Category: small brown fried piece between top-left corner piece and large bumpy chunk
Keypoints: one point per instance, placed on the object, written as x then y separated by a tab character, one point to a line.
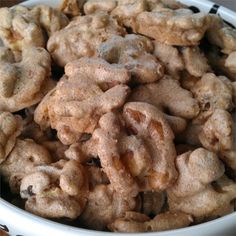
50	19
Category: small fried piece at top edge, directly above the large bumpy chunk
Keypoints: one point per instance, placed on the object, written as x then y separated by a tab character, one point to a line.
94	6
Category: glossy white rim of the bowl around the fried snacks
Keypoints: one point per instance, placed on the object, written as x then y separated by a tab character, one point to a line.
8	207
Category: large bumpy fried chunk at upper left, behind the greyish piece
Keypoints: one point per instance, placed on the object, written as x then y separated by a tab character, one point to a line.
86	34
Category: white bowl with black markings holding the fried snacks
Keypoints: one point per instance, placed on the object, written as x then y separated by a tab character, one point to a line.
20	222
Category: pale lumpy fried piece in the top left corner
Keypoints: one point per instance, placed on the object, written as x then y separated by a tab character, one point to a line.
19	29
